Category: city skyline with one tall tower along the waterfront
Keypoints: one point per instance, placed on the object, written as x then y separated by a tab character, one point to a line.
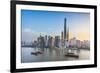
61	41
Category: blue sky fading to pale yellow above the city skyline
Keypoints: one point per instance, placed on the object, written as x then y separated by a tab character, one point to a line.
35	22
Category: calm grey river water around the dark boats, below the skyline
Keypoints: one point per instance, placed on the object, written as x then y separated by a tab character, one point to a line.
50	55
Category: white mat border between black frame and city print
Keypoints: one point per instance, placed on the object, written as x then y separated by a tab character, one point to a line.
20	65
